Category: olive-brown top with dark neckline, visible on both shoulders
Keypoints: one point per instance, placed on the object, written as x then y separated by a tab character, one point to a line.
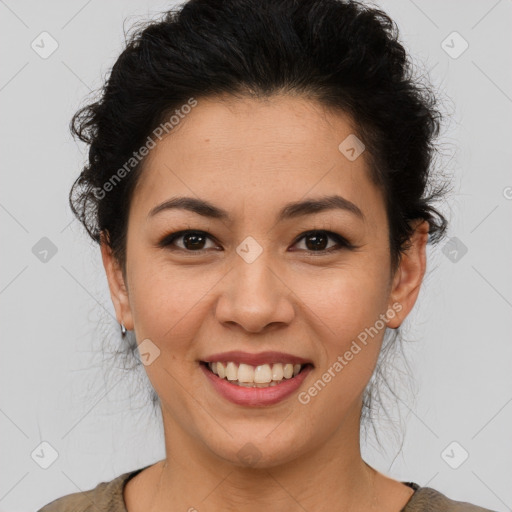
108	496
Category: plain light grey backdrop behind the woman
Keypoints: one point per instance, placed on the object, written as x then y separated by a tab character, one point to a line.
54	313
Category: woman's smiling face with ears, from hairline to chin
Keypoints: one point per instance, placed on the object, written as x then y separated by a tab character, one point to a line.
252	281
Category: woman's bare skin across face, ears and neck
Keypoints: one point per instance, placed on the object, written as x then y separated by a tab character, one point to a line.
251	157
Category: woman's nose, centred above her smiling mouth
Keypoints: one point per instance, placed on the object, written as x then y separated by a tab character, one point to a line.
254	296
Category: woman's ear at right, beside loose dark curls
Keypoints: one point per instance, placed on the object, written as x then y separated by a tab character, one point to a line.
409	275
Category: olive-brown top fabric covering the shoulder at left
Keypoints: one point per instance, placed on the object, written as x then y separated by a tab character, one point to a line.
106	496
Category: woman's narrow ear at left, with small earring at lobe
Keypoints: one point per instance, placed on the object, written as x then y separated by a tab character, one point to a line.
116	283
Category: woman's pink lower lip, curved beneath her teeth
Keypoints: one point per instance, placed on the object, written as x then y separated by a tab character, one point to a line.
241	395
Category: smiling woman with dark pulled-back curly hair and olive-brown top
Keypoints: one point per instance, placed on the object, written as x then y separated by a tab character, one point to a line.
231	138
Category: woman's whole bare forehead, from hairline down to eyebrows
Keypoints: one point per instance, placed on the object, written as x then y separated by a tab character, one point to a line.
255	150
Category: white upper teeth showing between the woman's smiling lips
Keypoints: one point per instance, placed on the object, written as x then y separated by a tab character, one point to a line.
261	376
